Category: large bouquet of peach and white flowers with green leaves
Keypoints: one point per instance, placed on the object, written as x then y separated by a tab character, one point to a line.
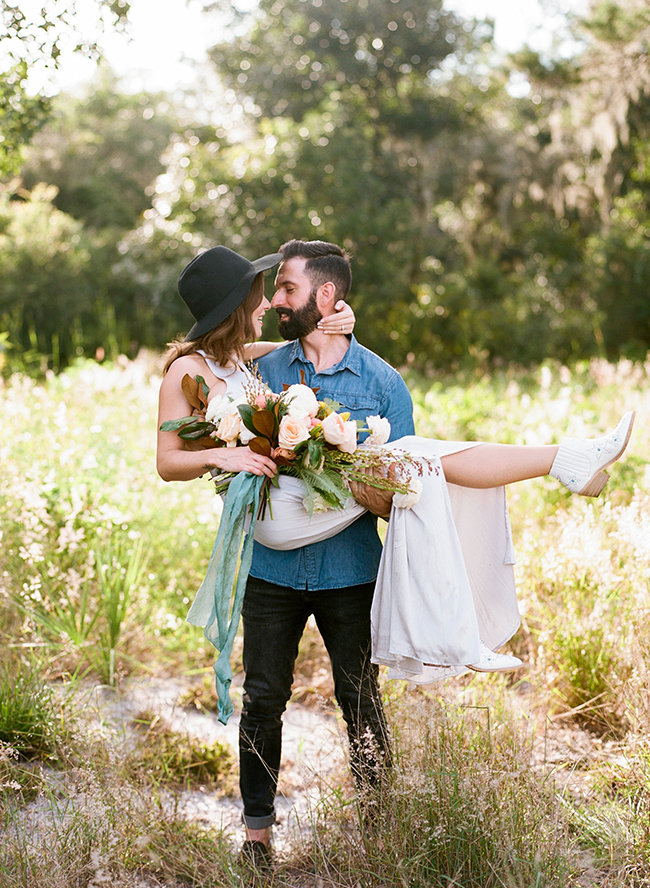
308	439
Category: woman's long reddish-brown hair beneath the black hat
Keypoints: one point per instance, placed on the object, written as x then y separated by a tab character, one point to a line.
225	342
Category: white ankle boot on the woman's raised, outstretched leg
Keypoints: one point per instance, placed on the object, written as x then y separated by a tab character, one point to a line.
580	462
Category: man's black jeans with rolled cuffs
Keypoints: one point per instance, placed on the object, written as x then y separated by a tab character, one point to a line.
274	619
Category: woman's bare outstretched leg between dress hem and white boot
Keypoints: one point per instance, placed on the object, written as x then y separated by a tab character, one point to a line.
494	465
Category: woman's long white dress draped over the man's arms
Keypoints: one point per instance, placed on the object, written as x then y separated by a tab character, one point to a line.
446	574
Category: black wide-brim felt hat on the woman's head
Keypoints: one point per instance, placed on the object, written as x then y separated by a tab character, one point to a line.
216	282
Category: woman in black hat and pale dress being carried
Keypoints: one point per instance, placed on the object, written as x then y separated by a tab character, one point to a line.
455	540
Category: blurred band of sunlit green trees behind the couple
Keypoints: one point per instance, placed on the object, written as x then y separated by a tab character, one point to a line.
485	226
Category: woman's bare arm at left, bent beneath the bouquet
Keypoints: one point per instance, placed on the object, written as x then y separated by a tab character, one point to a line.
175	460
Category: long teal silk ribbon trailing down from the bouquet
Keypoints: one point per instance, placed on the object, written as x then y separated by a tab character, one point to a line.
212	605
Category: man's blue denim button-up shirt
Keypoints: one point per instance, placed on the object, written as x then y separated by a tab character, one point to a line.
365	385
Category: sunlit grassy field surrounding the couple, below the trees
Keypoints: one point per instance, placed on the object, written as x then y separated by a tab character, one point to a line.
537	778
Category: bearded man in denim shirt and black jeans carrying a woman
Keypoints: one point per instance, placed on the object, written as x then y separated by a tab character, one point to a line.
334	579
